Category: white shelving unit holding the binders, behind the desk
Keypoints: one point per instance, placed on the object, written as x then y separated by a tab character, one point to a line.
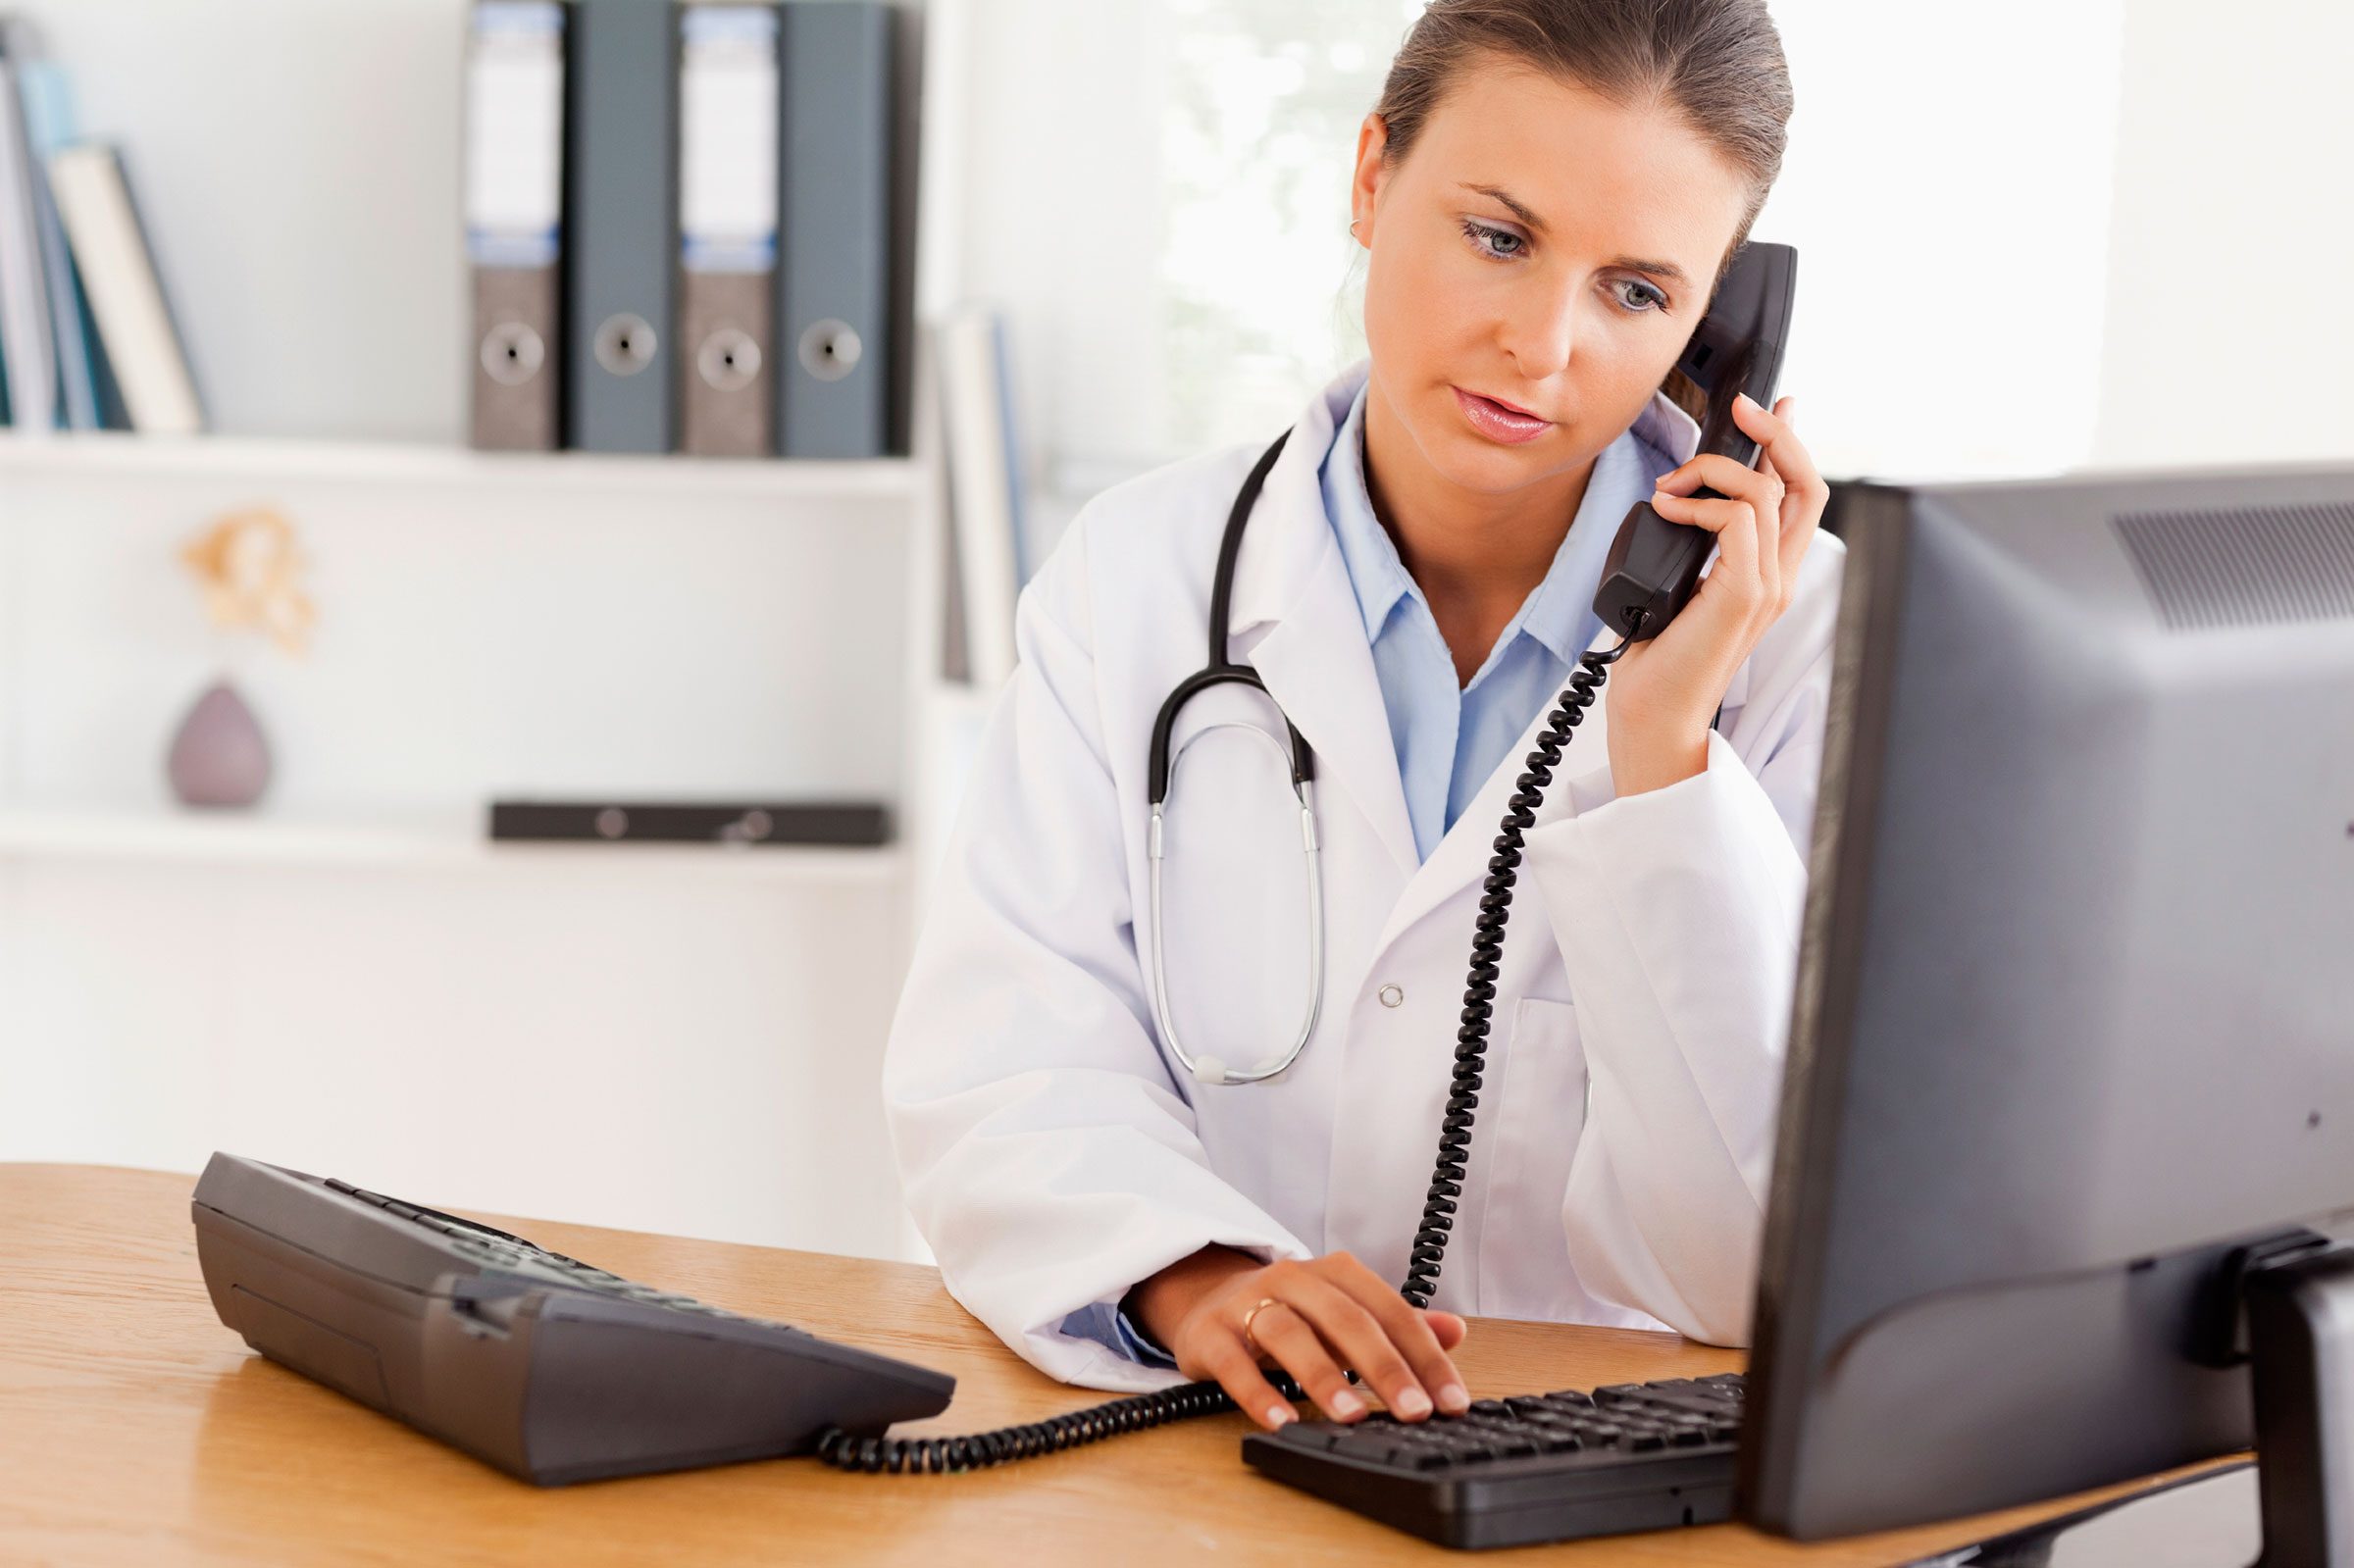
350	974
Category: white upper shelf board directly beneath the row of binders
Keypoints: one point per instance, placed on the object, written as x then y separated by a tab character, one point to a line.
415	463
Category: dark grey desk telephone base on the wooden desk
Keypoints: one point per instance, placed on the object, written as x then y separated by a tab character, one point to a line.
540	1364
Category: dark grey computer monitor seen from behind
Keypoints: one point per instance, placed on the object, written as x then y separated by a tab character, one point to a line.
2075	1009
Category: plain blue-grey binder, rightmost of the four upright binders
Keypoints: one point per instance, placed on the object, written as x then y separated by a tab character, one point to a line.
834	279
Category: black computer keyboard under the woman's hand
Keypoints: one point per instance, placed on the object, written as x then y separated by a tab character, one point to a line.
1531	1468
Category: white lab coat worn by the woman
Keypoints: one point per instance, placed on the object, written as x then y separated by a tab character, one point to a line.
1053	1152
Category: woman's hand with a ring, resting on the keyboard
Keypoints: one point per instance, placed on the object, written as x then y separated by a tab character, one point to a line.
1329	1313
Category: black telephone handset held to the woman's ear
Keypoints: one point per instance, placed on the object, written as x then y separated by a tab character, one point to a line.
1738	350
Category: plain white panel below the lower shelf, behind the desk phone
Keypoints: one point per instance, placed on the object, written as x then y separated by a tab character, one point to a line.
613	1042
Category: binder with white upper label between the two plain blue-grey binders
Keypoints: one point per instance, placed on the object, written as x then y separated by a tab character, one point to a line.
726	227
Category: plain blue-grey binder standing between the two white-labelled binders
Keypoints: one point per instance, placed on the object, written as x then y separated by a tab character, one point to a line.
620	255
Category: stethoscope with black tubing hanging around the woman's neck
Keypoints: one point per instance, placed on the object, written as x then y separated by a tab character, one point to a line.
1303	762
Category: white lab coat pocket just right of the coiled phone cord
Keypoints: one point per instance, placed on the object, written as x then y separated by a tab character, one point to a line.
1541	1115
